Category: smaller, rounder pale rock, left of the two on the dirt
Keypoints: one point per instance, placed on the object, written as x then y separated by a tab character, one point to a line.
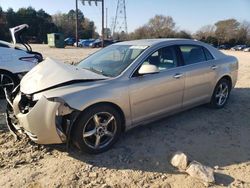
180	161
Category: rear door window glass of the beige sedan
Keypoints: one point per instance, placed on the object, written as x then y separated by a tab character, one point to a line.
192	54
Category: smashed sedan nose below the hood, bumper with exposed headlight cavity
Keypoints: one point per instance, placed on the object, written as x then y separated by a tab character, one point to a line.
45	121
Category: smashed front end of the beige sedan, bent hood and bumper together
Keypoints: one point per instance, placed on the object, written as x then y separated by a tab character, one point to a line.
45	119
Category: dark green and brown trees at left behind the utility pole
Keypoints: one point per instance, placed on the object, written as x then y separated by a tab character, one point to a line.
41	23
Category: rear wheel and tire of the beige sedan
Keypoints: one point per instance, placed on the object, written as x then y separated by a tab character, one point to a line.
221	94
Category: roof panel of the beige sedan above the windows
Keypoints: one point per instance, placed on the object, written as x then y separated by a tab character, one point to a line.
152	42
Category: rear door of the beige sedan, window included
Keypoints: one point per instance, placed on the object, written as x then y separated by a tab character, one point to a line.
200	73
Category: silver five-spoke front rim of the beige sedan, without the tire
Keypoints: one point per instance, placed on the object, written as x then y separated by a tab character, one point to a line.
99	130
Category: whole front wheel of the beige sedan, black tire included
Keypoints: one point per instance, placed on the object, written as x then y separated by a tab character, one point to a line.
97	129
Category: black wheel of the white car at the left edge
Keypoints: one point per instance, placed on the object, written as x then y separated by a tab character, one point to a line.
7	80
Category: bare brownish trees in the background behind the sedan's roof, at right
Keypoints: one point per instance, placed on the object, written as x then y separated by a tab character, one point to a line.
229	31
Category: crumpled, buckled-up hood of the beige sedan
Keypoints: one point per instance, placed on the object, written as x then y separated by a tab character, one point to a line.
51	74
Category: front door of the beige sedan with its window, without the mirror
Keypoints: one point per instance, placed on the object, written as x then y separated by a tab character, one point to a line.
152	95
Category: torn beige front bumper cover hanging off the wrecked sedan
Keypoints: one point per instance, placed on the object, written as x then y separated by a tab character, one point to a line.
38	123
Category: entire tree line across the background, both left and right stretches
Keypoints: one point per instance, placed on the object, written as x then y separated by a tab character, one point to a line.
229	31
